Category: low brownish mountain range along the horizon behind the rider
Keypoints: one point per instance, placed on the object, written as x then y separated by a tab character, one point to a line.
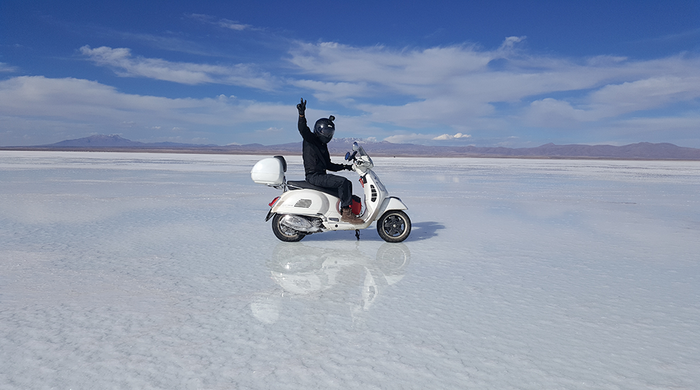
638	151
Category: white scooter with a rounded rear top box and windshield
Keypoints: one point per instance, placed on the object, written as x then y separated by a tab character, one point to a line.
304	209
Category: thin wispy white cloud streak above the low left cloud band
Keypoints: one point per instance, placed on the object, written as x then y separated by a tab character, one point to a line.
126	65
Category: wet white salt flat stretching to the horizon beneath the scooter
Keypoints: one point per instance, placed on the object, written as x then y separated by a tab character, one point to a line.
158	271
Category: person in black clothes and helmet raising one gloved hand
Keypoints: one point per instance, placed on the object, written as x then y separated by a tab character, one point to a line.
317	160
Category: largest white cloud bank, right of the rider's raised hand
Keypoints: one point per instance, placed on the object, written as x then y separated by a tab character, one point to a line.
454	86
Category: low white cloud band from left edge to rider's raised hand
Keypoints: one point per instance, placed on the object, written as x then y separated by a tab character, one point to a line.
64	104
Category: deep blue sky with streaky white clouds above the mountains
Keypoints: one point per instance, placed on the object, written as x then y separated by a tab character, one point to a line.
487	73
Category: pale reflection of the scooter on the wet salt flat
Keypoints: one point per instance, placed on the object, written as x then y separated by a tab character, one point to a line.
329	275
